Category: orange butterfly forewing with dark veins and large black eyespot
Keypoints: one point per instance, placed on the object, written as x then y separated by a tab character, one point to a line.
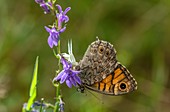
120	81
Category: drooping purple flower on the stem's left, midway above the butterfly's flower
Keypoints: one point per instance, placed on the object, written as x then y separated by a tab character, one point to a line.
54	36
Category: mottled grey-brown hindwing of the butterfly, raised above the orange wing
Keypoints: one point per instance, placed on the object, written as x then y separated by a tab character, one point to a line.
98	62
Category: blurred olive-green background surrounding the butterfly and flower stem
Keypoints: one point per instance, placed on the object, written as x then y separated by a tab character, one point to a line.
139	30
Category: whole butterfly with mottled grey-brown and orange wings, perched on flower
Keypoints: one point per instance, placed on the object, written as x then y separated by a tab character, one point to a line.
101	72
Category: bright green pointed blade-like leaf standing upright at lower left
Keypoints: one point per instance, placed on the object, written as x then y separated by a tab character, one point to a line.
33	89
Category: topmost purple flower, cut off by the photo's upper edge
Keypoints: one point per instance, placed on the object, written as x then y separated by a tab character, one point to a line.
44	5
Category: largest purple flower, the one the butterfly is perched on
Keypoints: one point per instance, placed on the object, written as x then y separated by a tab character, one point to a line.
68	75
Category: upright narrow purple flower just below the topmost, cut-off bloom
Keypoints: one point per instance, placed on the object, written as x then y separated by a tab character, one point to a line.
61	16
